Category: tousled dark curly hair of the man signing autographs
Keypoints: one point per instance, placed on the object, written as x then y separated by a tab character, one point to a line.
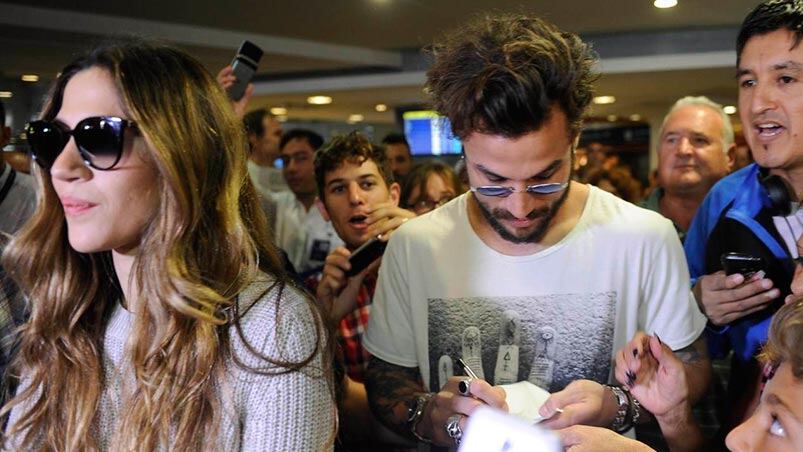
501	75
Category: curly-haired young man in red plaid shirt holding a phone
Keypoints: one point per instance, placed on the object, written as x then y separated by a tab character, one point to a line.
356	192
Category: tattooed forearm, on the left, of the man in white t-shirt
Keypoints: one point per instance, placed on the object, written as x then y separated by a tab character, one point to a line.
391	391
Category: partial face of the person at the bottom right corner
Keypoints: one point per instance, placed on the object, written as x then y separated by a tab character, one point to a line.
777	423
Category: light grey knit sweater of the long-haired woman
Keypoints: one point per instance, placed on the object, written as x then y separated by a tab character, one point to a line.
289	412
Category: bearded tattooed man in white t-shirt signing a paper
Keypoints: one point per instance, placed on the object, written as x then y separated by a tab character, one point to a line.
529	276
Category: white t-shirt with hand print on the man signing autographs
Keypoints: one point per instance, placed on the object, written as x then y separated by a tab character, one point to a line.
551	317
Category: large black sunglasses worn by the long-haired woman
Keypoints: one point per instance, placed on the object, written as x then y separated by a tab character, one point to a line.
99	140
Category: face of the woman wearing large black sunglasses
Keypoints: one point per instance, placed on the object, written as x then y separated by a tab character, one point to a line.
104	210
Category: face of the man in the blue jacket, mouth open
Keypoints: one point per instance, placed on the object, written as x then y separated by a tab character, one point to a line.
771	99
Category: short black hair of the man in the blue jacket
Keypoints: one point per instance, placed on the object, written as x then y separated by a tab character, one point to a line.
768	17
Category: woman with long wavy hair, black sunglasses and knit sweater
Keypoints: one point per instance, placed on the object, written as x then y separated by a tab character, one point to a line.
160	316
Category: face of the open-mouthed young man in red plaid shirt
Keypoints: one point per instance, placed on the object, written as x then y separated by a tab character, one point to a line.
351	192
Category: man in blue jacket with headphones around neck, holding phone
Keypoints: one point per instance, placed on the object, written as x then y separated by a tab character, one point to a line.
755	210
